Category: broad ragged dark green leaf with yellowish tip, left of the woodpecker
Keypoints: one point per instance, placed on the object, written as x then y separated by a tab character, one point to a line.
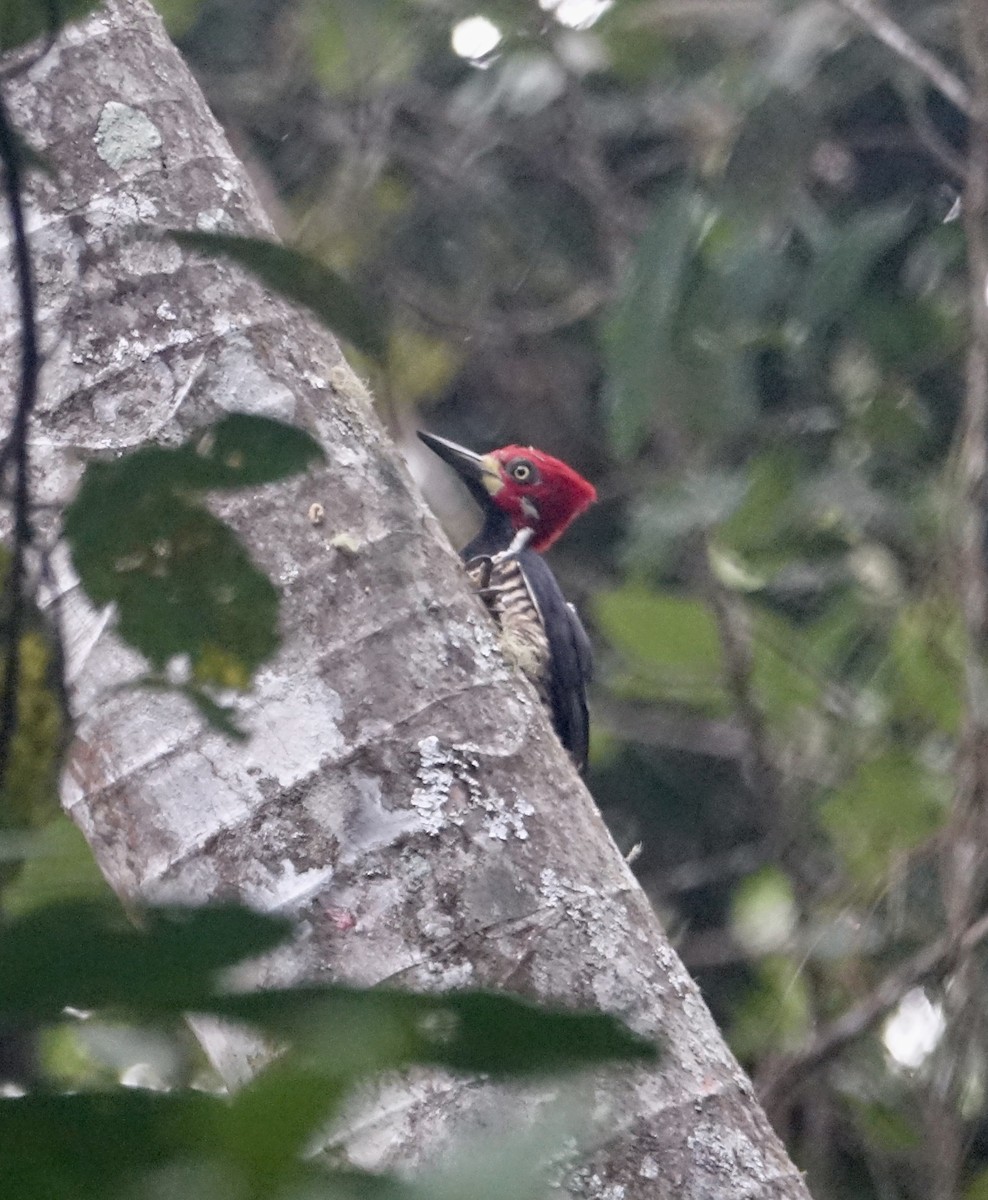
182	581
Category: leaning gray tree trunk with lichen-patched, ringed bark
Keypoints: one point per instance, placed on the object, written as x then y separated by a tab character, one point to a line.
402	795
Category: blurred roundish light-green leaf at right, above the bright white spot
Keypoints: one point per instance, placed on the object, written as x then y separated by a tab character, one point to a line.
890	806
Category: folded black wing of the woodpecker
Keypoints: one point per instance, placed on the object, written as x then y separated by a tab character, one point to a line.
571	657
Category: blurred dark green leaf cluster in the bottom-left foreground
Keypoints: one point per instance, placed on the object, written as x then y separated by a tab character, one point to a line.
164	963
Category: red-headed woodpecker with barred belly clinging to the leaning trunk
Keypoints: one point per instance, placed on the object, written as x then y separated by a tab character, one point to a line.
528	500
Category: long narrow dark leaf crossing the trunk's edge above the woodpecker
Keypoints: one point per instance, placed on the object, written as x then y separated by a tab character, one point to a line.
300	279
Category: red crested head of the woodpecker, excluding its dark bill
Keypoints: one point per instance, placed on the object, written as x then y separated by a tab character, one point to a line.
538	493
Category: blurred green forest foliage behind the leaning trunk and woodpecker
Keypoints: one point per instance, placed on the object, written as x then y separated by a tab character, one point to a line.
710	253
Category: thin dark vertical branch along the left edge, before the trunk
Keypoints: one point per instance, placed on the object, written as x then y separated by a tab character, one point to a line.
16	452
